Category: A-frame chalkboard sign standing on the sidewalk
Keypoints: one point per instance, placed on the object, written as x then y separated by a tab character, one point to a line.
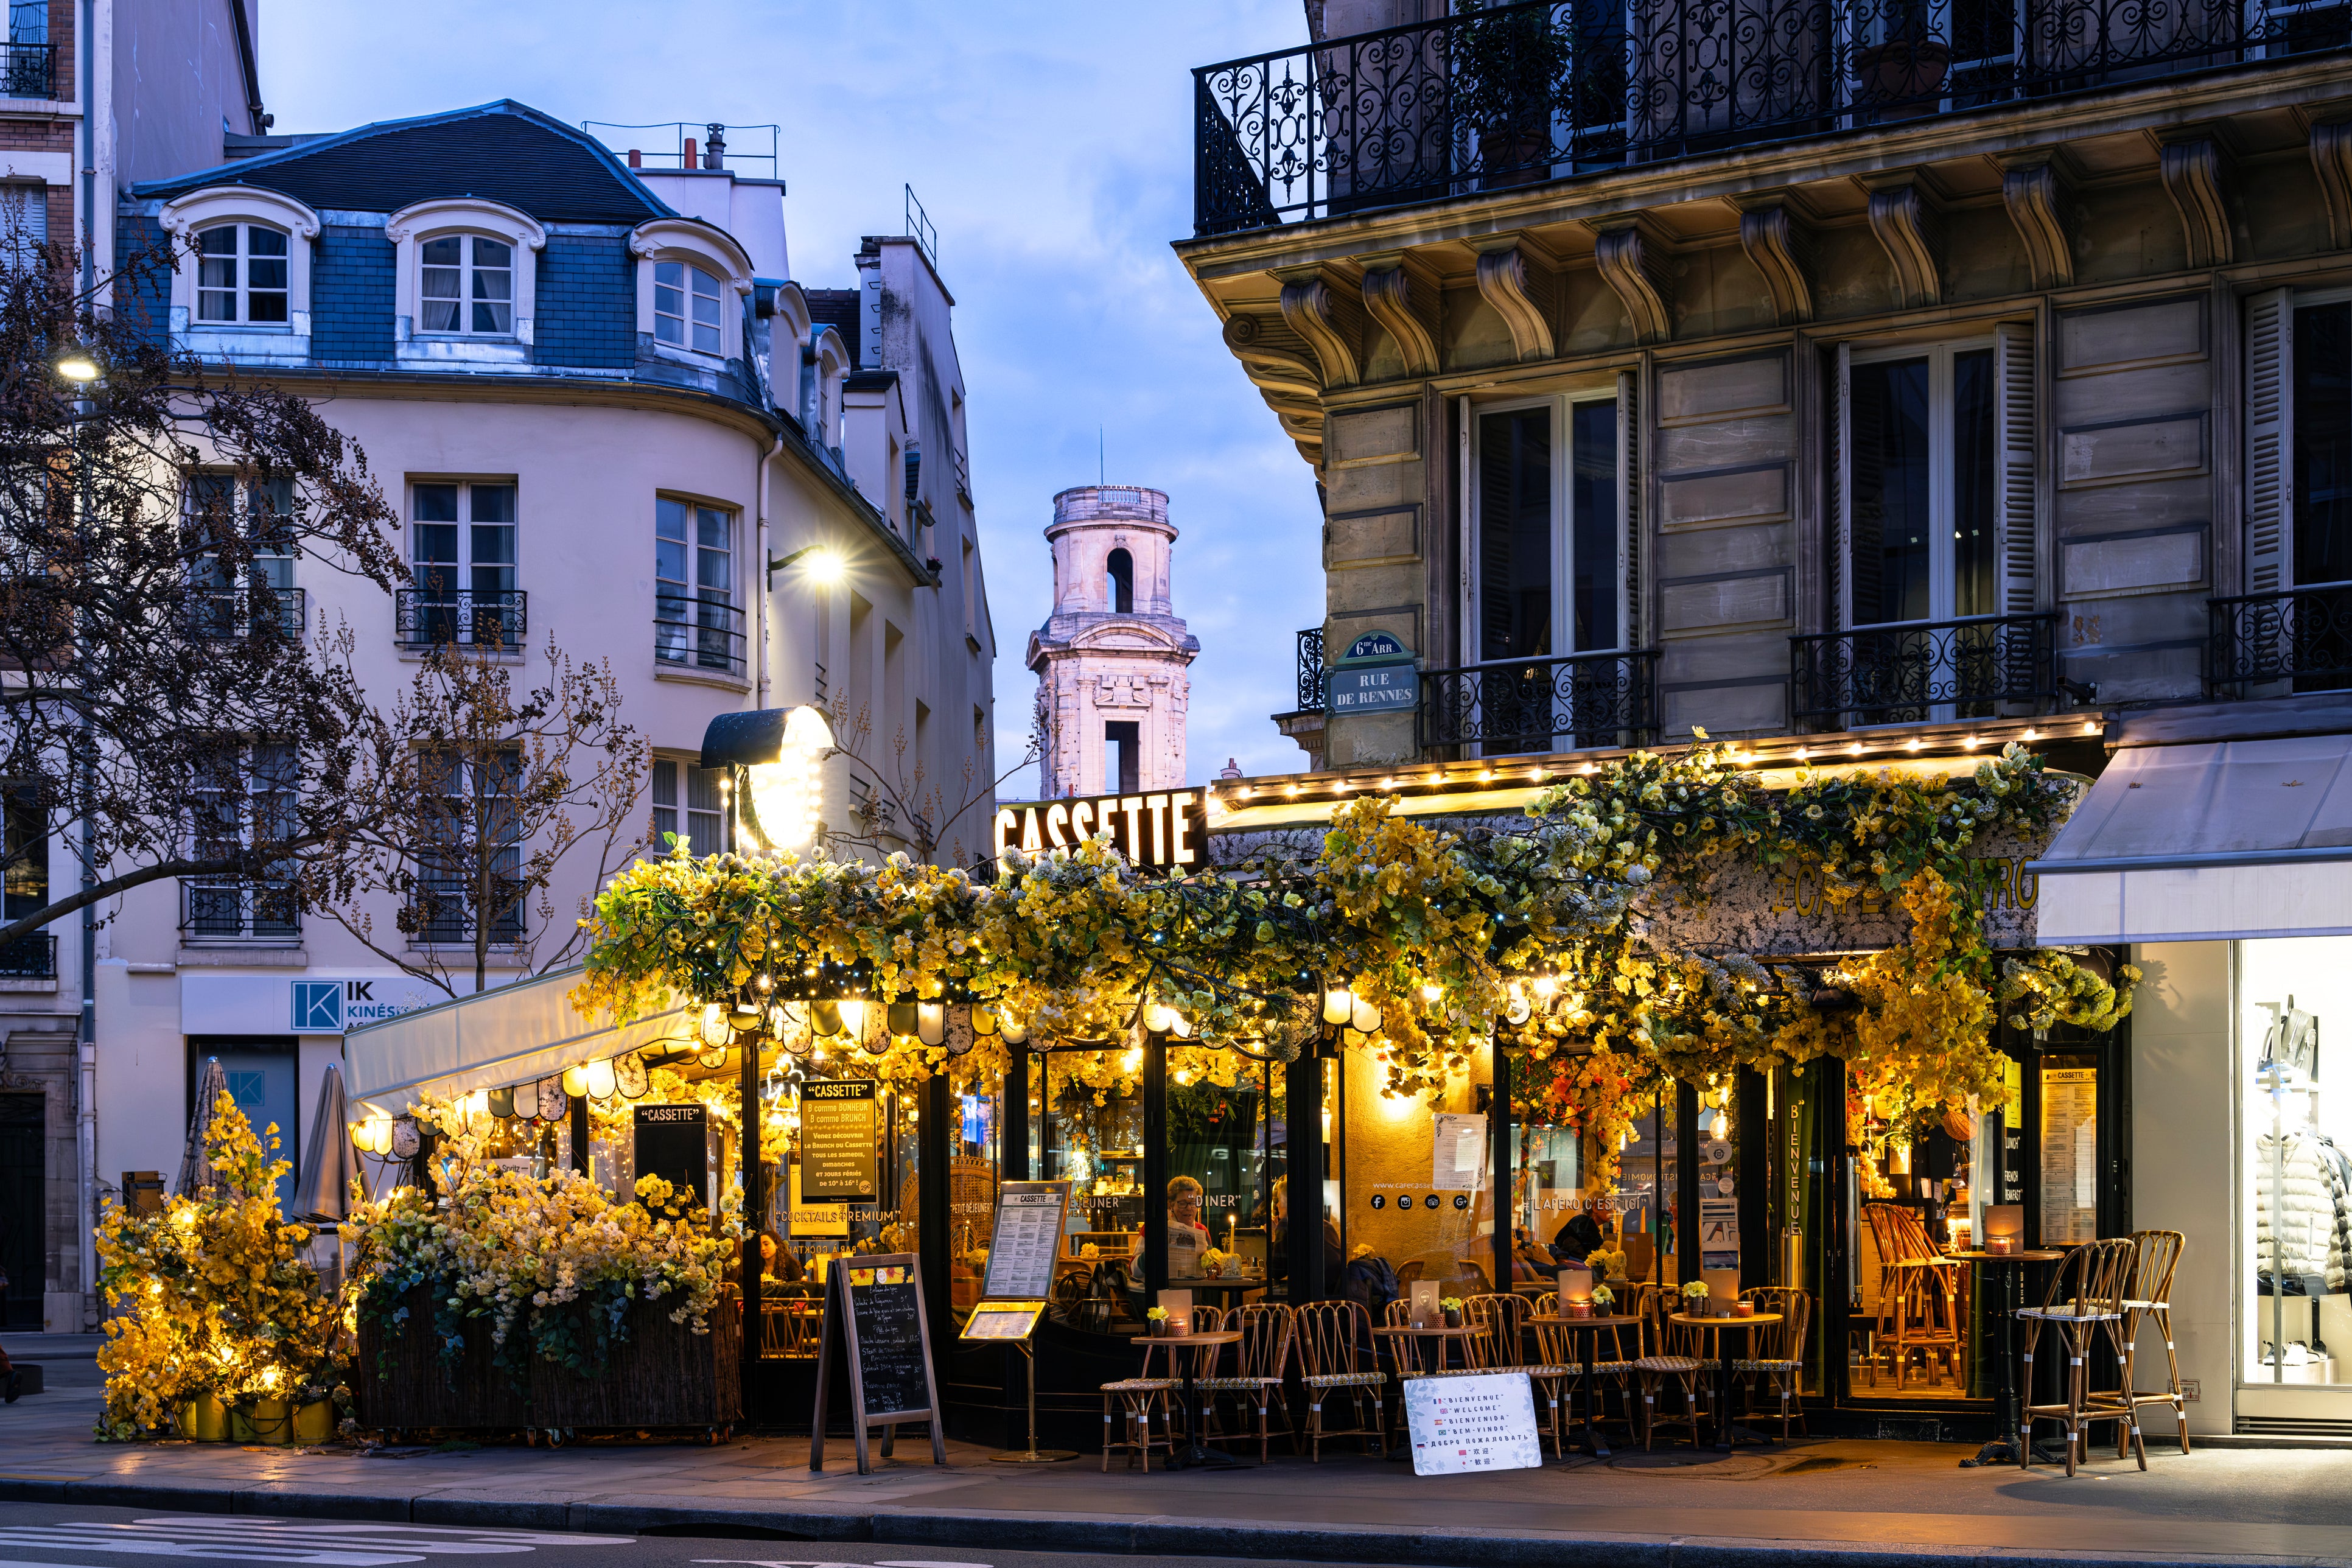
874	1313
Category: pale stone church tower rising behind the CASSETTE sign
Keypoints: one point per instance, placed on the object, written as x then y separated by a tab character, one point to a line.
1111	659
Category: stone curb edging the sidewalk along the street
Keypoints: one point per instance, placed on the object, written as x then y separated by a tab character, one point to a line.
1109	1536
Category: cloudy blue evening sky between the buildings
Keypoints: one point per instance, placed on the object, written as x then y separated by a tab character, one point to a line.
1053	149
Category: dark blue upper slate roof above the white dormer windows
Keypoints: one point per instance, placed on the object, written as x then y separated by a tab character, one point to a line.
500	152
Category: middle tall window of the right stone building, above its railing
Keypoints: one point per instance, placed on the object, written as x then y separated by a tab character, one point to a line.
1920	481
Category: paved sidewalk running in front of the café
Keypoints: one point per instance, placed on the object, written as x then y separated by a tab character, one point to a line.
1847	1503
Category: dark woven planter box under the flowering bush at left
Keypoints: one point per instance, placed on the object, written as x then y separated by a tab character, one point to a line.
662	1376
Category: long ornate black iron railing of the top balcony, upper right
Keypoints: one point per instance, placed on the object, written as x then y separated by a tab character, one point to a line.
1514	95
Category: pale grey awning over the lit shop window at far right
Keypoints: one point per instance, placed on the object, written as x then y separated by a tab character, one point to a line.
2207	843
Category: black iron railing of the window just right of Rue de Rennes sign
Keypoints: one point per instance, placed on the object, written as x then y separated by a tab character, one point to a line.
1542	704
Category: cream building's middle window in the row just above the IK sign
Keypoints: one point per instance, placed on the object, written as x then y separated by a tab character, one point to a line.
469	864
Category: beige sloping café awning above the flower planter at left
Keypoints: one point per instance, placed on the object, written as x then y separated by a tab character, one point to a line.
512	1036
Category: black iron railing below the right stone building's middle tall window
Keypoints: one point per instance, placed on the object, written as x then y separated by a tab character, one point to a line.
1920	671
